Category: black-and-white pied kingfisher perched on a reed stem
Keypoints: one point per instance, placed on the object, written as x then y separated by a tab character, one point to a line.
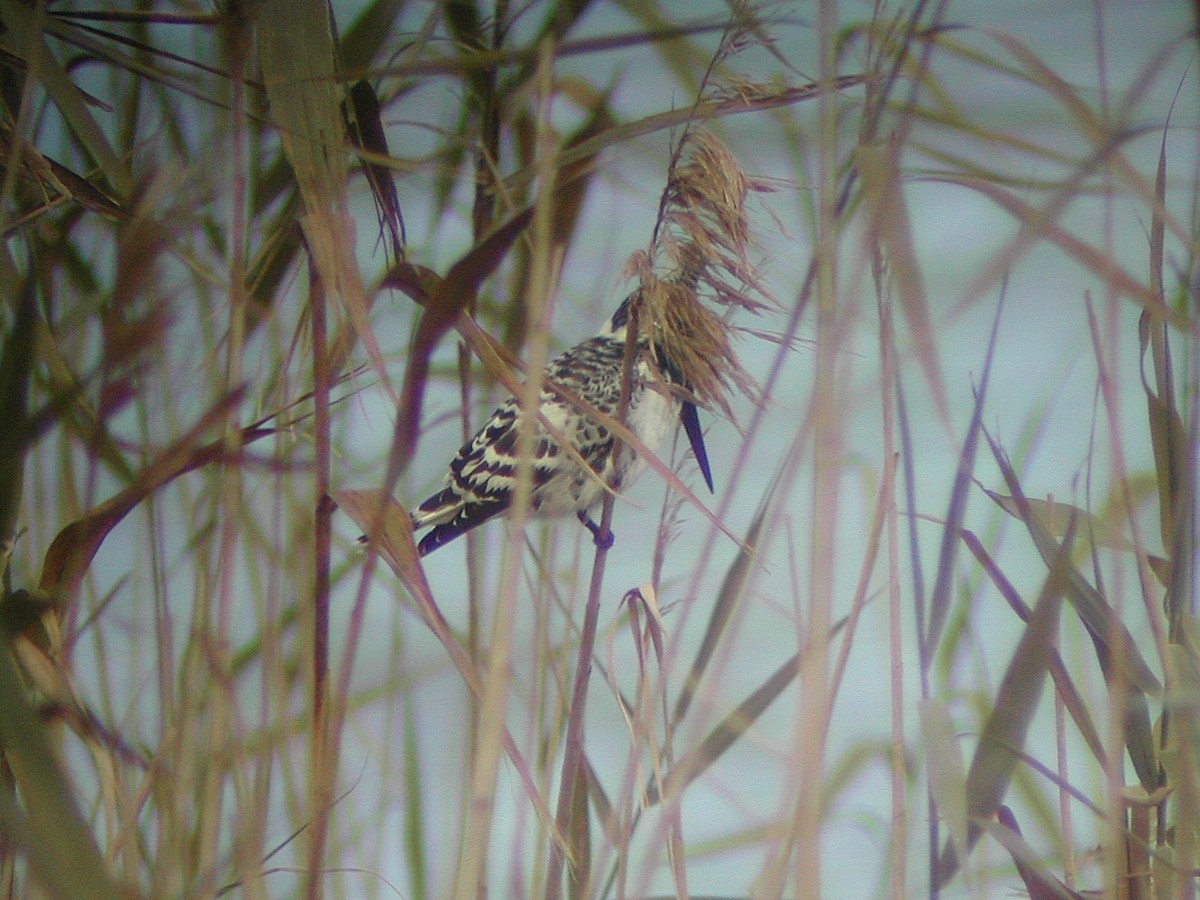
483	476
